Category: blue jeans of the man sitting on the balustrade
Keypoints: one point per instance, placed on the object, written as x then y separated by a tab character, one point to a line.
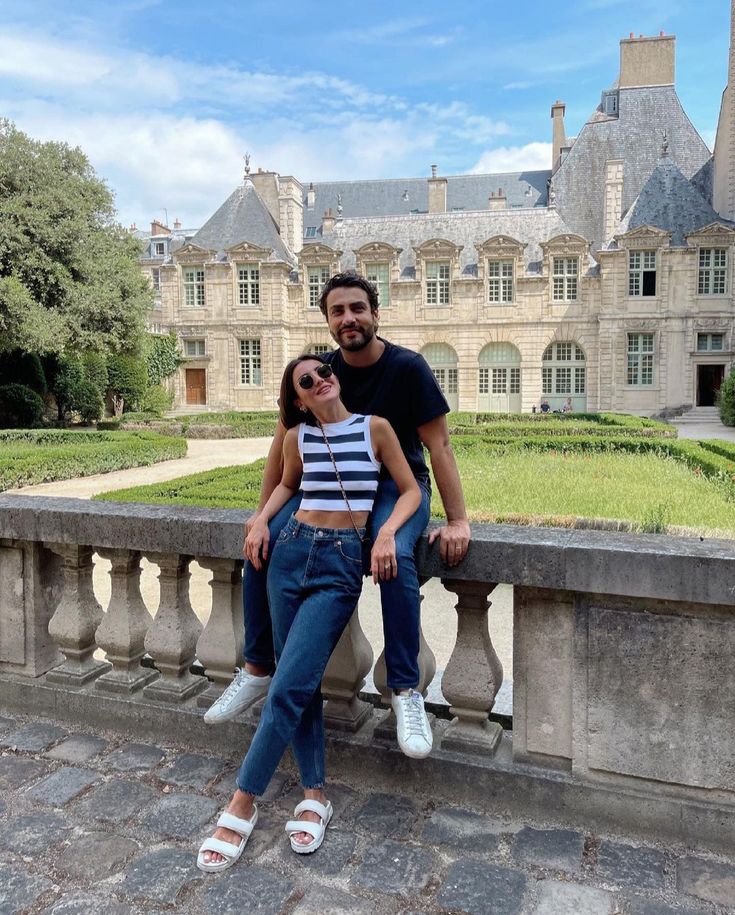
400	597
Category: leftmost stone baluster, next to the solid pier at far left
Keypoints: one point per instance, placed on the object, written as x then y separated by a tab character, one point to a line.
73	625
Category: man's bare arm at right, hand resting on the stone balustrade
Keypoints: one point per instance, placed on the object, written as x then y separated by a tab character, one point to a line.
455	535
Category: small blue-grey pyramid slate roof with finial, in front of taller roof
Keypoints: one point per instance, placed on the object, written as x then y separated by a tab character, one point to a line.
670	202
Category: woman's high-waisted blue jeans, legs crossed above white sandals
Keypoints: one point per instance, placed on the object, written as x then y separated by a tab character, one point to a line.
314	582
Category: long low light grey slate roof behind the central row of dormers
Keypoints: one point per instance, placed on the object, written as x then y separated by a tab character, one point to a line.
531	226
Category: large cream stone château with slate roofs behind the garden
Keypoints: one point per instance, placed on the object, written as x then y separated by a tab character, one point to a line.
607	279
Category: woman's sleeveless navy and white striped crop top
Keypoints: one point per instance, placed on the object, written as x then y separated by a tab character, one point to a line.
358	467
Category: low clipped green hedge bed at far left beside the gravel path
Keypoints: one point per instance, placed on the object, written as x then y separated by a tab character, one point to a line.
27	458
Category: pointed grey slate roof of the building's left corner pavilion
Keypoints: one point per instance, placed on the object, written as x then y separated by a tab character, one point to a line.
242	217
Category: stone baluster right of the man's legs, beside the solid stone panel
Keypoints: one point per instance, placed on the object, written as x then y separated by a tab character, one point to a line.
473	674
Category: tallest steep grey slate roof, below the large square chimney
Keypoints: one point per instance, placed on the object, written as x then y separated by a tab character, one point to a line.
636	136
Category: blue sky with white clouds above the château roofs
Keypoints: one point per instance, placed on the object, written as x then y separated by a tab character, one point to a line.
165	98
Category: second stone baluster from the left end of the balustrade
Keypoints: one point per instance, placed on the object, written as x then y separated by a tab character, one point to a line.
123	629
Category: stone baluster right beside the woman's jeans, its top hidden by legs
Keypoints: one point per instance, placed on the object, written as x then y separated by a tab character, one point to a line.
344	677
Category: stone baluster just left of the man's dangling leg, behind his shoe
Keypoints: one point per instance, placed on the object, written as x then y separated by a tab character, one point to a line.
221	643
